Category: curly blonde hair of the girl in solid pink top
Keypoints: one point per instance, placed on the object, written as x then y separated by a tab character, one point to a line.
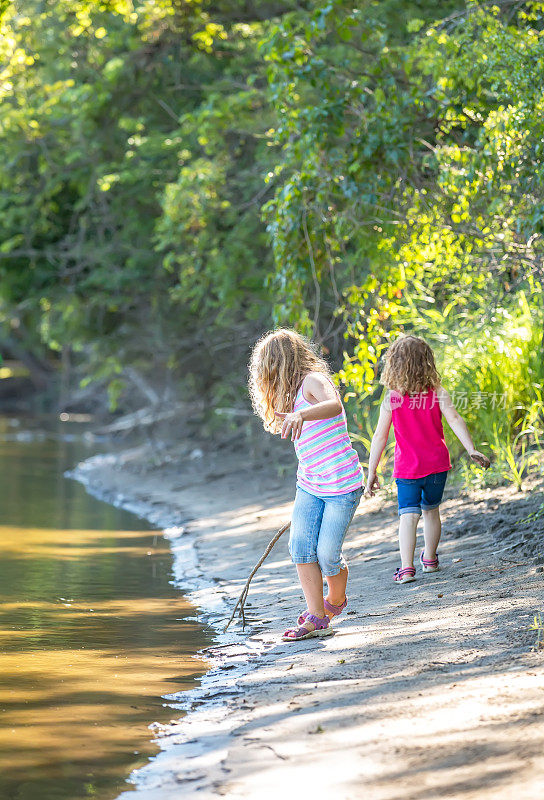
409	367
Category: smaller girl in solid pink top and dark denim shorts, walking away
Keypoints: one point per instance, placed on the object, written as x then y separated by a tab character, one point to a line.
414	404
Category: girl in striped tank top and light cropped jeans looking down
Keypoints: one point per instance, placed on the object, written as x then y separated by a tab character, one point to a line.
292	391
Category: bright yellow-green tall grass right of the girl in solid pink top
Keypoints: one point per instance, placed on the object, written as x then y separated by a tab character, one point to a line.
495	373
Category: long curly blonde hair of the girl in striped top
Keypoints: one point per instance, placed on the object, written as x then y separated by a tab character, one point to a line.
280	361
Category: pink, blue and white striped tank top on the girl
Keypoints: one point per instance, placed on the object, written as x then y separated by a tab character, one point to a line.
327	463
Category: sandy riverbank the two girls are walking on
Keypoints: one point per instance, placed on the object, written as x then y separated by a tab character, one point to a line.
427	690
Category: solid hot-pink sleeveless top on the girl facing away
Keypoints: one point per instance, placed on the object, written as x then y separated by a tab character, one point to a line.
420	447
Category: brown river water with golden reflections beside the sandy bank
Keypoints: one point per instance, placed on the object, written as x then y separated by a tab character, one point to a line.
92	632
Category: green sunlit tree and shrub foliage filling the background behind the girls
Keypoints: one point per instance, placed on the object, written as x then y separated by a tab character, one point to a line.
178	175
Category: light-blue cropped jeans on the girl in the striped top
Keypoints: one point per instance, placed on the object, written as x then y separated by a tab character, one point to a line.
318	528
